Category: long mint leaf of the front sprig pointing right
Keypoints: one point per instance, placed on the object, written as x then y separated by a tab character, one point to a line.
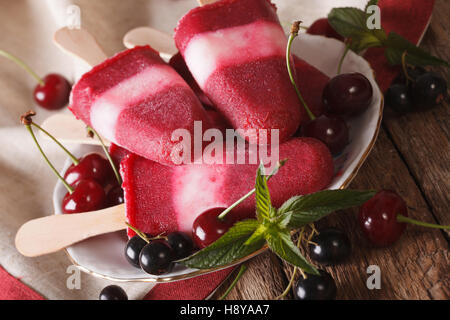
309	208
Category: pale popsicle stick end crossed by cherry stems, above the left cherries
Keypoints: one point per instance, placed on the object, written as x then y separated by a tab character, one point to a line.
67	129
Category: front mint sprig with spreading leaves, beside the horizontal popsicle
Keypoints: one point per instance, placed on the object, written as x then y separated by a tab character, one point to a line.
273	226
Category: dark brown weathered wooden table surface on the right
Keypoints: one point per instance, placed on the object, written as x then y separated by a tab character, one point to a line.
411	156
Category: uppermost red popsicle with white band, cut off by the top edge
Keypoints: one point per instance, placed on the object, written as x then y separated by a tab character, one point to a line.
235	50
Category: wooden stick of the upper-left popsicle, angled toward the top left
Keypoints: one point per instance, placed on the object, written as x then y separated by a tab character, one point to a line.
81	44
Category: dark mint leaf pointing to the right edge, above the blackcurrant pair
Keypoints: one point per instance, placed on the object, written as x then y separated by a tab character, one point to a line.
396	45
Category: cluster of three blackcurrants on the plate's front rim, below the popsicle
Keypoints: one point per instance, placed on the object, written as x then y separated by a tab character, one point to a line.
157	256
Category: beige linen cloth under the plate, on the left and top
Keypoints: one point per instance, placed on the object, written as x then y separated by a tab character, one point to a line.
26	183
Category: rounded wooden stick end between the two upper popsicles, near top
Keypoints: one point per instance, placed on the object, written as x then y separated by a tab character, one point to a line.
158	40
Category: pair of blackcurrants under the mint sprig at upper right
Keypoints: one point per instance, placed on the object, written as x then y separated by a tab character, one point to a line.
416	90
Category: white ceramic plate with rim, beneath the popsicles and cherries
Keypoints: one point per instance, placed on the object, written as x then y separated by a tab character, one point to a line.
104	255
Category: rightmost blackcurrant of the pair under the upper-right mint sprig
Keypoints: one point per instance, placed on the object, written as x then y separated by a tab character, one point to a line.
428	90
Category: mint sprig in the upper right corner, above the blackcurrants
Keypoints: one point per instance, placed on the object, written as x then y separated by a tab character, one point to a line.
351	23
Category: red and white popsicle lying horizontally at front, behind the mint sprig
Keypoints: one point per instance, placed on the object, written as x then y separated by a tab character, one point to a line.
164	199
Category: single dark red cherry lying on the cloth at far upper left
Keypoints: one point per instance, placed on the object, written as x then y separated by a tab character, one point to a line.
54	94
